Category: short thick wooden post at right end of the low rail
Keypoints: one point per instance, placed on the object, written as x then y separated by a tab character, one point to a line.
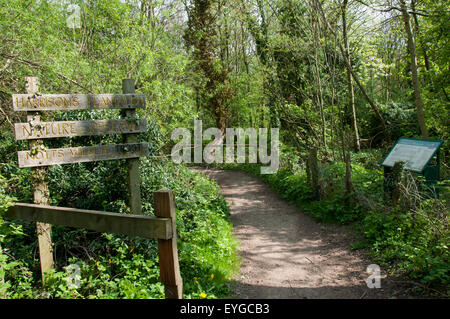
168	253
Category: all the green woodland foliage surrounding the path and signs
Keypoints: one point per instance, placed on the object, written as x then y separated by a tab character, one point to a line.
256	64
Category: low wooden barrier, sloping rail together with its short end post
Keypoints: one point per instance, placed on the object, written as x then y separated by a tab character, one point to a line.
162	227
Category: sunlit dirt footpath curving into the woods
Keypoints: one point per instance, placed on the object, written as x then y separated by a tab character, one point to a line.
286	254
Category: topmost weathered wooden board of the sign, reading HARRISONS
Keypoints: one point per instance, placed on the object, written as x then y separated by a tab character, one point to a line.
55	102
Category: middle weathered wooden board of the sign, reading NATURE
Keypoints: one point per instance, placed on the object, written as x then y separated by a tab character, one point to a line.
27	131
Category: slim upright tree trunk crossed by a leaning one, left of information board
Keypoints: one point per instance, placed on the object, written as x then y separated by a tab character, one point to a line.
351	97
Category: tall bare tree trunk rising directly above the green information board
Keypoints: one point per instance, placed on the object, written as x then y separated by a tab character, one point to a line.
414	73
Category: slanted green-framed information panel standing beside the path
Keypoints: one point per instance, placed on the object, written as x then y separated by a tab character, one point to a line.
416	153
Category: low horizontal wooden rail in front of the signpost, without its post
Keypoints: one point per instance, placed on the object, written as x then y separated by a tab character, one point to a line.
132	225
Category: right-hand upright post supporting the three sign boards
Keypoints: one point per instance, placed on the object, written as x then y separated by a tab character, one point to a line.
134	178
